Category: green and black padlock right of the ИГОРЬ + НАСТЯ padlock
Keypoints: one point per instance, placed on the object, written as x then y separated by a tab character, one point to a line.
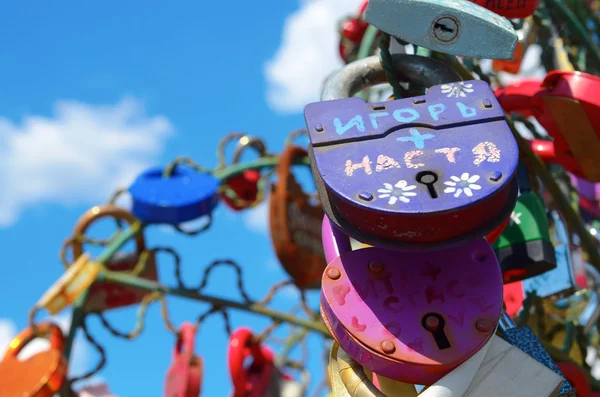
524	248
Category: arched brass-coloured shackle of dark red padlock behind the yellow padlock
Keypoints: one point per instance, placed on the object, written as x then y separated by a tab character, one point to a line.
99	212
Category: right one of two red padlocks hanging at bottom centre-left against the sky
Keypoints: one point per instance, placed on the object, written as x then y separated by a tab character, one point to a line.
253	380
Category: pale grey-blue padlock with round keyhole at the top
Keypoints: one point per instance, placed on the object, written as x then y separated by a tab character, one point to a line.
455	27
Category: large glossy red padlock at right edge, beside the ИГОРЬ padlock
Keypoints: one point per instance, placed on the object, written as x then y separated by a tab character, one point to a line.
566	105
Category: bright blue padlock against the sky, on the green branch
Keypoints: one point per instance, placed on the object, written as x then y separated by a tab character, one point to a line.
183	196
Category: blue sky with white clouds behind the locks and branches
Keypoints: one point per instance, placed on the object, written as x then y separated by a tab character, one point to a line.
152	82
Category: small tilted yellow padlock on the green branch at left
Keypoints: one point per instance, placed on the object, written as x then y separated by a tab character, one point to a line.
76	279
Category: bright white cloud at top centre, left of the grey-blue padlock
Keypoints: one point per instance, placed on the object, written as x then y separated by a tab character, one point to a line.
307	55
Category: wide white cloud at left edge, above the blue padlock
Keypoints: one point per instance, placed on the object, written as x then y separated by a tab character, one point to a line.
79	155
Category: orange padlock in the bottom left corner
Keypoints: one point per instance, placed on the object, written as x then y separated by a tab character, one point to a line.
41	375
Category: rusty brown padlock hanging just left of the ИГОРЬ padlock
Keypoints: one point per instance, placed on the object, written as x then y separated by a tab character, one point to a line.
295	225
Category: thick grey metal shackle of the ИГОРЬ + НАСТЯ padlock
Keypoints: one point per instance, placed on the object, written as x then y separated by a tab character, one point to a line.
367	72
